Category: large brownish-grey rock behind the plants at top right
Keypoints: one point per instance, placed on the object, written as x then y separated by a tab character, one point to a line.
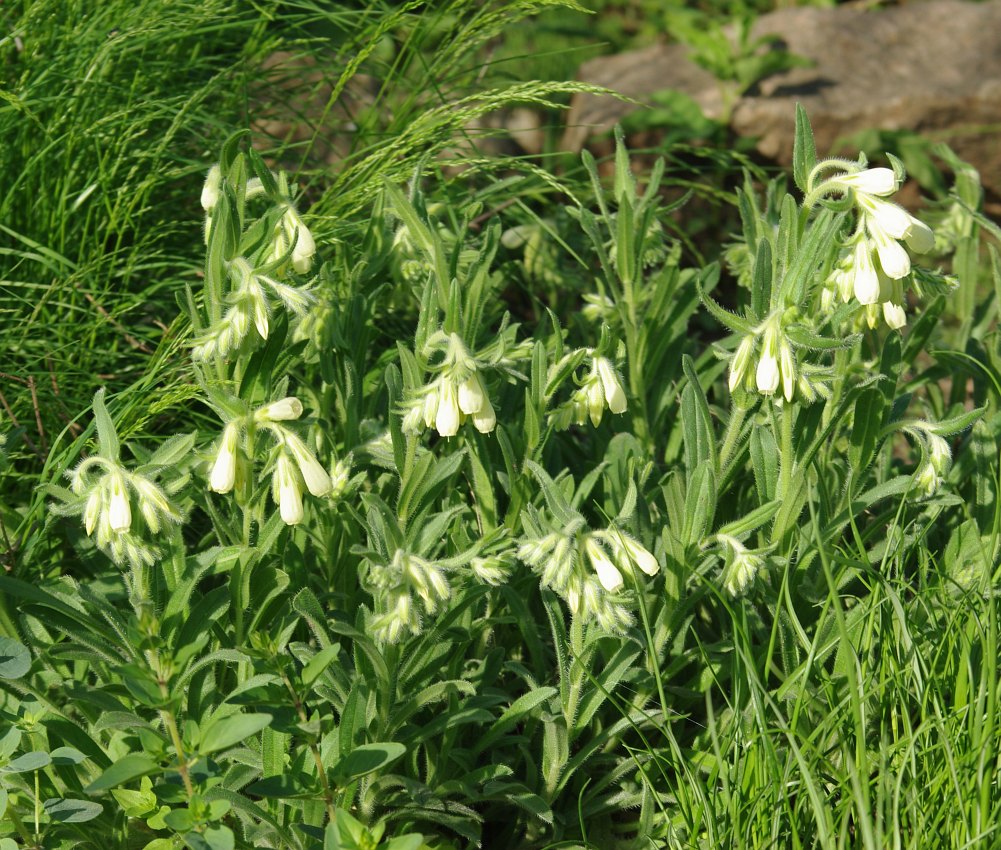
932	68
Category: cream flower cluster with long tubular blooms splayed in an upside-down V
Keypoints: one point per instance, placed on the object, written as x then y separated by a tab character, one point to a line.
296	465
